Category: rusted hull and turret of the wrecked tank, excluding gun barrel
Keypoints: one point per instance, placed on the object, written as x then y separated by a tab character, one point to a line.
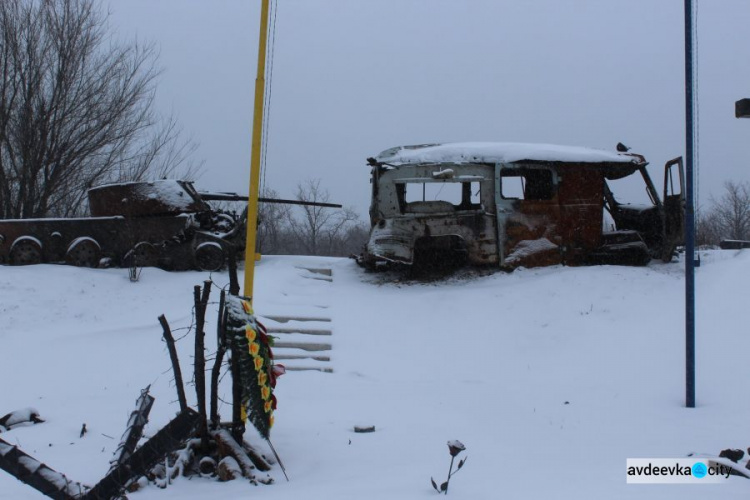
164	223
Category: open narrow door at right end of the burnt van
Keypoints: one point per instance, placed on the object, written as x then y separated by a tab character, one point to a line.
674	207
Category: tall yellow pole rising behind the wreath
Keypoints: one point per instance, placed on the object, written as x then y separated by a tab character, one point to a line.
252	204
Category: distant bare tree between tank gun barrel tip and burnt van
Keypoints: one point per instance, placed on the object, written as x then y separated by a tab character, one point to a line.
317	228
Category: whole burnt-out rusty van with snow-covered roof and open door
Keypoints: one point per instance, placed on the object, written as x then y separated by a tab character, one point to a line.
511	205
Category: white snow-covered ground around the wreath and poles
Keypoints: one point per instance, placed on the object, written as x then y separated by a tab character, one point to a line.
551	377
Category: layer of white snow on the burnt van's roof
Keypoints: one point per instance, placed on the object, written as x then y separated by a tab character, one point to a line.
501	152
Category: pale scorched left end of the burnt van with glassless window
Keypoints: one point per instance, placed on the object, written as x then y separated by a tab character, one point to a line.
454	221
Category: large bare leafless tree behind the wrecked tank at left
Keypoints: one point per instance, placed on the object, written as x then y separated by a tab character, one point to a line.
75	108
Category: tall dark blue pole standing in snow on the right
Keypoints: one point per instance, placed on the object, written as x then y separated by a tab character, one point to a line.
689	215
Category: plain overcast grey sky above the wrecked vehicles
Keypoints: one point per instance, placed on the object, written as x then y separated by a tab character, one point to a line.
354	77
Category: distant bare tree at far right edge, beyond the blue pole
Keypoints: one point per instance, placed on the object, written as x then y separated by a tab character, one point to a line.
731	213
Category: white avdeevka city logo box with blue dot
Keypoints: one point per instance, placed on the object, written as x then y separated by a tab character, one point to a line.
675	470
